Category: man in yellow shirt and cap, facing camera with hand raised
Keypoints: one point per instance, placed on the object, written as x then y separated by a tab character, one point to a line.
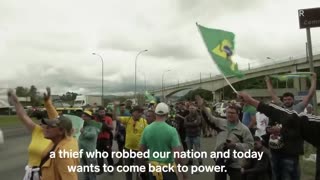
135	125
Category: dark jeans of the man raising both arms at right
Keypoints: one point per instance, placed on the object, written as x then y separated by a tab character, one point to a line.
285	167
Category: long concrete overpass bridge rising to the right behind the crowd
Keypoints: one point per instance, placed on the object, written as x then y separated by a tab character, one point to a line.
216	83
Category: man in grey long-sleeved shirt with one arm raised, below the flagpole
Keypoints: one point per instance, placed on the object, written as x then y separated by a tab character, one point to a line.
233	136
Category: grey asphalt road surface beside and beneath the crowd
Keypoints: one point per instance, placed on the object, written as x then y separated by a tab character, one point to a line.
13	158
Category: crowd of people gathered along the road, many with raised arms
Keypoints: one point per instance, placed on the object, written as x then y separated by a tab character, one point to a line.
278	130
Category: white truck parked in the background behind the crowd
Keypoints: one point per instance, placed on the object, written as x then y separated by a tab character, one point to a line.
84	100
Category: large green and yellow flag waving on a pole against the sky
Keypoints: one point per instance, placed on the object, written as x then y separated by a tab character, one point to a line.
220	45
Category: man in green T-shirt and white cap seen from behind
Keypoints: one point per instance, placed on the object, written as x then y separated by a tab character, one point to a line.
161	138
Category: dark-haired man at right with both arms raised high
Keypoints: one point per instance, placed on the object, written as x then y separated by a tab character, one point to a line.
286	146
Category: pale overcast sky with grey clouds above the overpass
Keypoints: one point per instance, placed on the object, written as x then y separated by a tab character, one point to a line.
50	43
